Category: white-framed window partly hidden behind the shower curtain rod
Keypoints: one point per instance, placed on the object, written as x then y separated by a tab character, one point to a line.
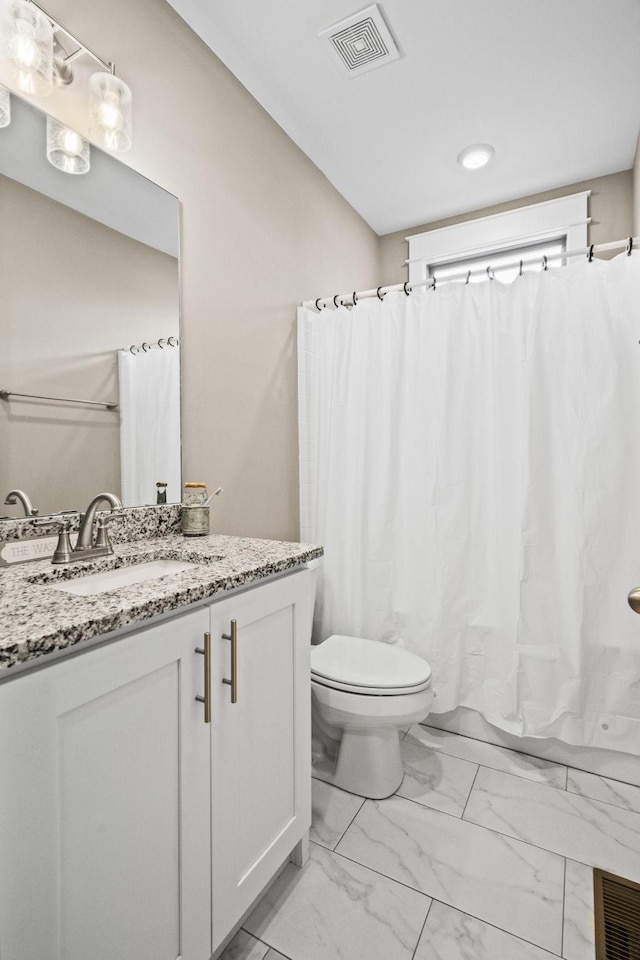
527	234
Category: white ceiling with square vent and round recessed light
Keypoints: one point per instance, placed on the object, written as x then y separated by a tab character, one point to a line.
552	85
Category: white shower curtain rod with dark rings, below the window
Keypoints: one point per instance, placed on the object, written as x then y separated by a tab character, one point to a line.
350	299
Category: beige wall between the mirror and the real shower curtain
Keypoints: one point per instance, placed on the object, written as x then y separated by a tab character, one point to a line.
262	230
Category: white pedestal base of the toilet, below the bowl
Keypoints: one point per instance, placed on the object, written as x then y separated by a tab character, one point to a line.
369	763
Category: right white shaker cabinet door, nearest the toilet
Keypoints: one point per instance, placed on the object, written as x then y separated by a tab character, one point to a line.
260	746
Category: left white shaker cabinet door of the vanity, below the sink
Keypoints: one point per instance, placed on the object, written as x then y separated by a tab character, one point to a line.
104	808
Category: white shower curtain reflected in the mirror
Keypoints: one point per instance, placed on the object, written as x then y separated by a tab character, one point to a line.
149	424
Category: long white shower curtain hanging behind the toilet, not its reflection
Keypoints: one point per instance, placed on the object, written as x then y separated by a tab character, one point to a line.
470	459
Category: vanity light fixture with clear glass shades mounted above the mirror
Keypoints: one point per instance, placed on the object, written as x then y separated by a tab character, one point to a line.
37	46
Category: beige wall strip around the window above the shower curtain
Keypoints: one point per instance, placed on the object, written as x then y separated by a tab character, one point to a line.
610	209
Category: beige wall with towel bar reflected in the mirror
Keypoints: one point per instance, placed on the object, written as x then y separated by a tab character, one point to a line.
73	293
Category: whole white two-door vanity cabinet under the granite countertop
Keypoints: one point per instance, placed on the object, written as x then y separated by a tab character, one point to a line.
130	829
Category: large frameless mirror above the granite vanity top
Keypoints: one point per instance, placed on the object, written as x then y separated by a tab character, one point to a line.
89	274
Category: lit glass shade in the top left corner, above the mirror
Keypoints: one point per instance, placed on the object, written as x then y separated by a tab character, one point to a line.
28	46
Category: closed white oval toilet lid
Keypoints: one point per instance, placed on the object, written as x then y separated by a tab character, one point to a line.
368	665
